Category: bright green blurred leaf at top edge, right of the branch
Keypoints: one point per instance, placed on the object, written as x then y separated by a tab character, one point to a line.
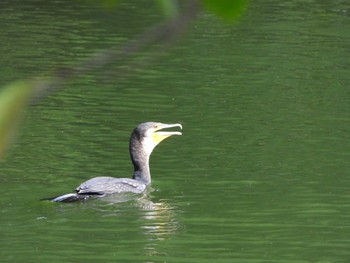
227	9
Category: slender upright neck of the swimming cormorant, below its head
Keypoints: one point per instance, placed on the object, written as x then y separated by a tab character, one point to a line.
140	159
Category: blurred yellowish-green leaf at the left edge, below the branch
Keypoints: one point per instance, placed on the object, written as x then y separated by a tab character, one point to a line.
13	99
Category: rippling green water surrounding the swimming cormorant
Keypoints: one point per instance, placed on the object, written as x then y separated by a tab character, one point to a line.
260	174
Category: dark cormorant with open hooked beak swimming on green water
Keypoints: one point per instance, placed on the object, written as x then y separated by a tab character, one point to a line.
142	142
